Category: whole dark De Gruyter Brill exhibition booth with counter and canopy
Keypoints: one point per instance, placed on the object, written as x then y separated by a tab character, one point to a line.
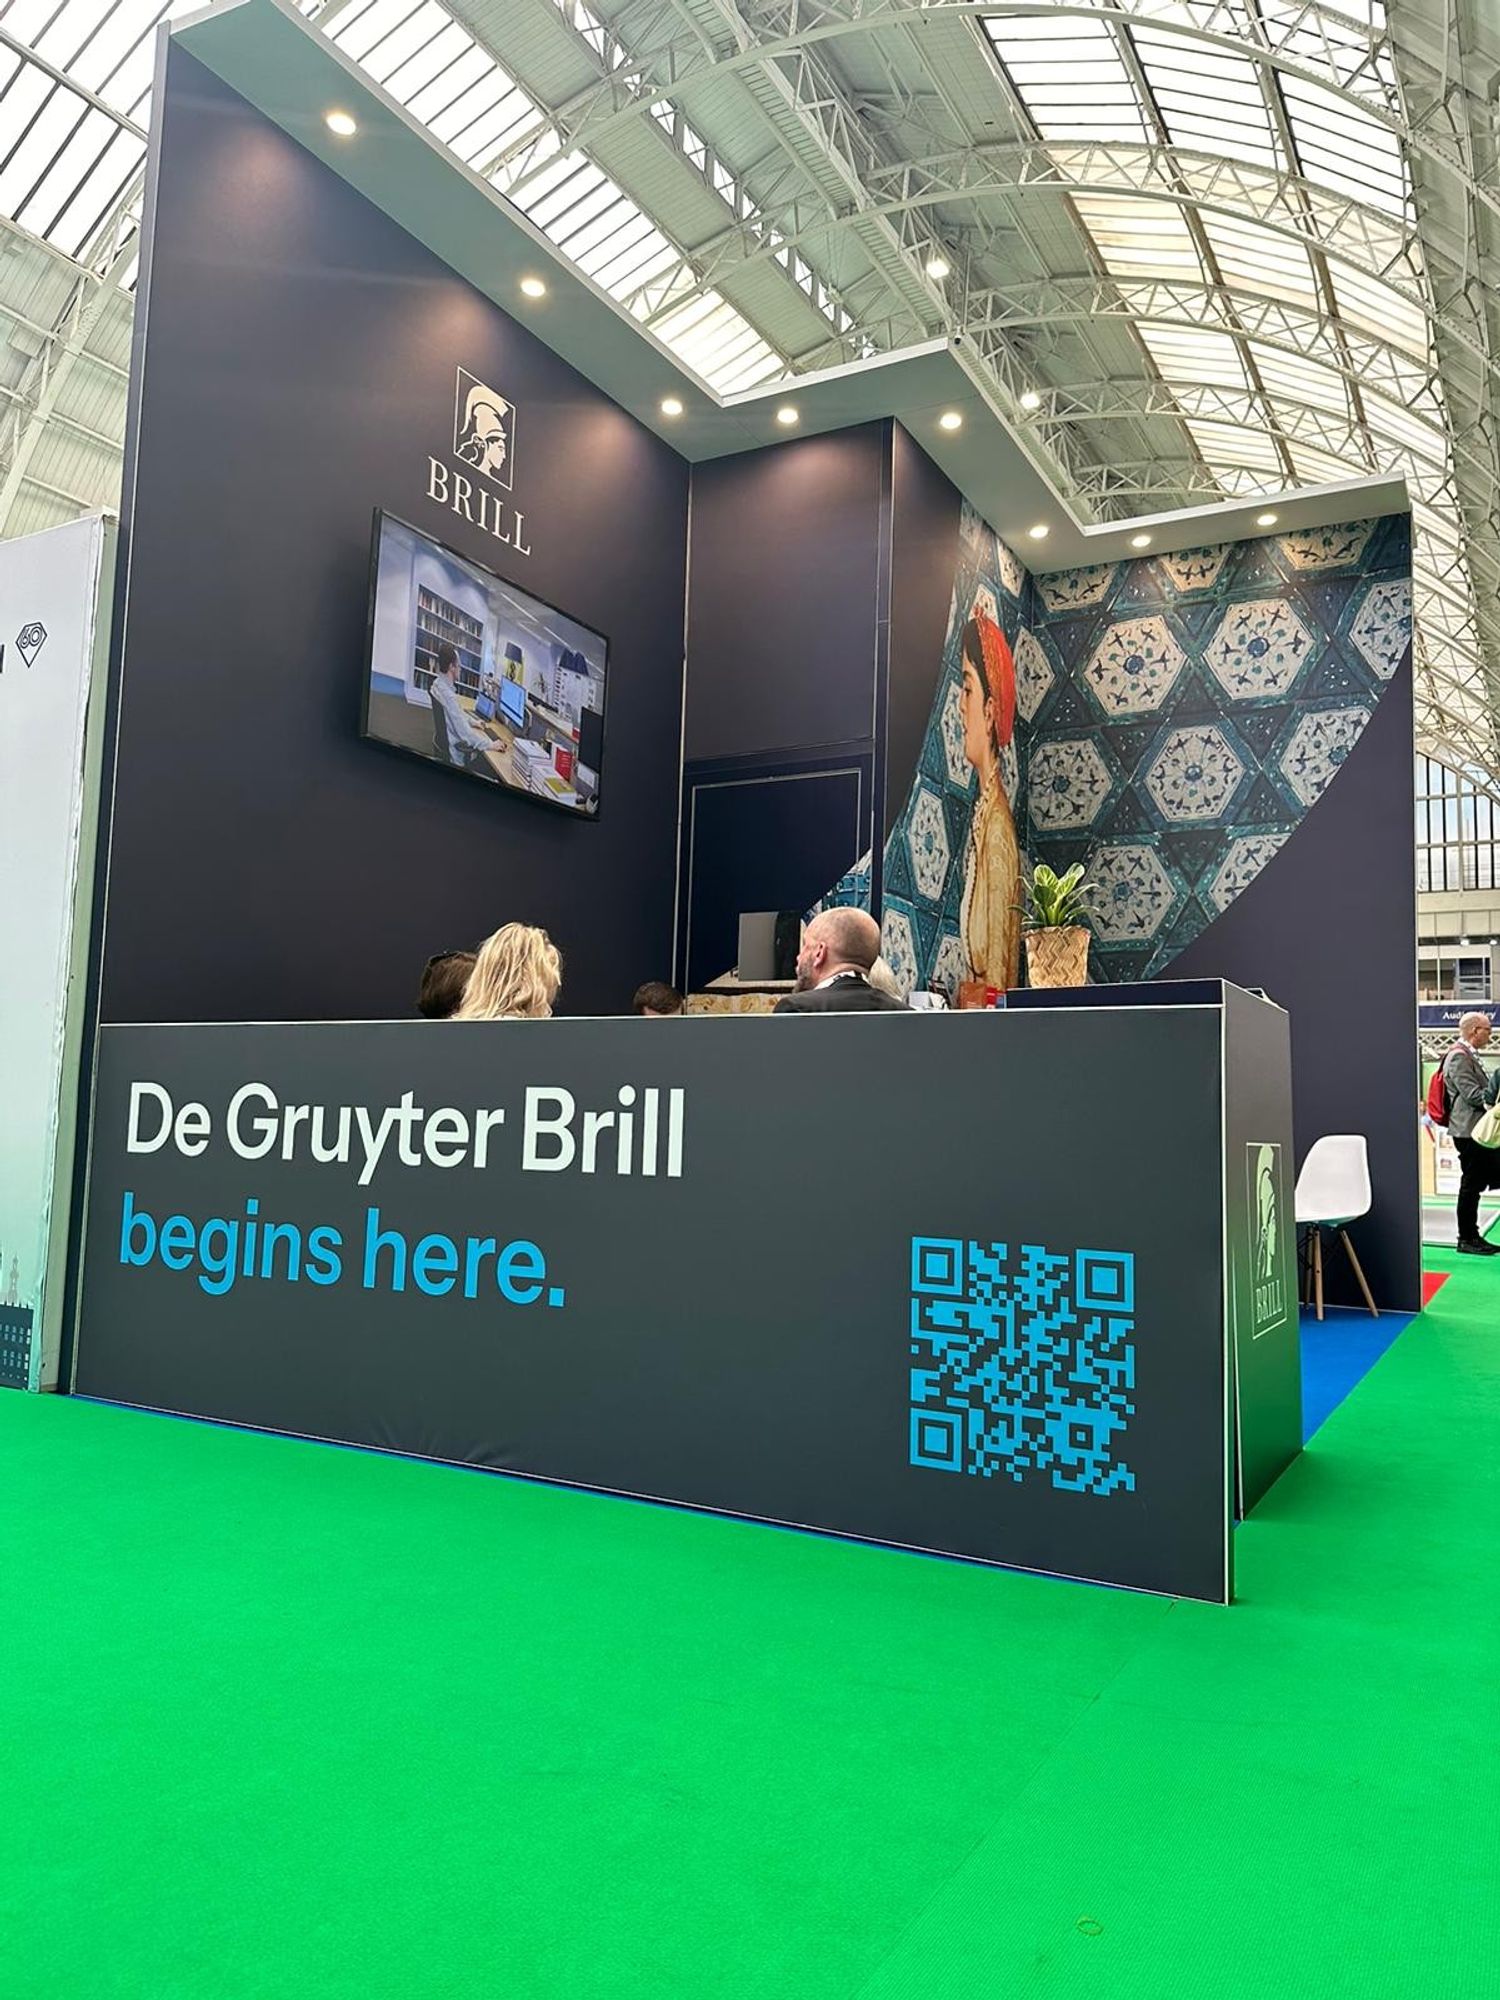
433	619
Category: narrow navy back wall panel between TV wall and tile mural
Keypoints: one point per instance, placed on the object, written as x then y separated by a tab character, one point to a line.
789	579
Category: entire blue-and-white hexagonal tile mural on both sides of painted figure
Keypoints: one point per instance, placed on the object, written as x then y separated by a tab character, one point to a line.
1175	721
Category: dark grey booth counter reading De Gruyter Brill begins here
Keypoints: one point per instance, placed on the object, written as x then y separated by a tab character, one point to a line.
1003	1285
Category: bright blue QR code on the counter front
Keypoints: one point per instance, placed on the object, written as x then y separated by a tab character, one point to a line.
1023	1363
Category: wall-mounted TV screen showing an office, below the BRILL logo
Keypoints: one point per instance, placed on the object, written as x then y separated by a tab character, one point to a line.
481	679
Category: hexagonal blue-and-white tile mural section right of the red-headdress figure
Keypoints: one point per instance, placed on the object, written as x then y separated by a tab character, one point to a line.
1197	707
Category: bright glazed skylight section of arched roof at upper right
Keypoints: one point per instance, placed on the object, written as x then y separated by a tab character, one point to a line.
1319	213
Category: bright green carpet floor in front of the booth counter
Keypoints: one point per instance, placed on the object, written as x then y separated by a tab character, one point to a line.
297	1723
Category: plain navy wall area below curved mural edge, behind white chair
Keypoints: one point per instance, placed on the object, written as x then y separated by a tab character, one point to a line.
1329	931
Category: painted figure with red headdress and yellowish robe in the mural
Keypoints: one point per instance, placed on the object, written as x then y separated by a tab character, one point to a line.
991	921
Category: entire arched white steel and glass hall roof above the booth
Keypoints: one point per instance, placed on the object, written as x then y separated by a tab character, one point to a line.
1199	249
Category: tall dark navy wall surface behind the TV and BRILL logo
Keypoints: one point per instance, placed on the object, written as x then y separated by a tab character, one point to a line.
301	371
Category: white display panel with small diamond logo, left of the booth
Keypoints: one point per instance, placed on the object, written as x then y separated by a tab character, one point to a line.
53	645
